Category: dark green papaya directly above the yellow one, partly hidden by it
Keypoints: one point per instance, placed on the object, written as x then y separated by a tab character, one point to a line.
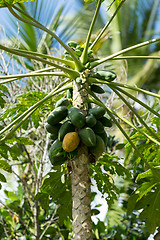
66	127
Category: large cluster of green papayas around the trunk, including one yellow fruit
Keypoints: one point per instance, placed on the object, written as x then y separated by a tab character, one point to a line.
69	126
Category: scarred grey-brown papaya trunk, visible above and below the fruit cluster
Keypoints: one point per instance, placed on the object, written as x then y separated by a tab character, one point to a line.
80	179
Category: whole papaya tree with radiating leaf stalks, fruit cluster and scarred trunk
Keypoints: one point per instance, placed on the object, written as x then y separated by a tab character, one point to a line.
78	148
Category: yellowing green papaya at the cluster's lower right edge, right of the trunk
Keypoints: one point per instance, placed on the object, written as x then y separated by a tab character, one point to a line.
99	148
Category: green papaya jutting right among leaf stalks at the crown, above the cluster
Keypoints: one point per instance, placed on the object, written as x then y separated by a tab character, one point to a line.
106	75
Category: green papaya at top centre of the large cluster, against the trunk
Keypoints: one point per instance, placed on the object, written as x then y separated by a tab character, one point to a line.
77	117
